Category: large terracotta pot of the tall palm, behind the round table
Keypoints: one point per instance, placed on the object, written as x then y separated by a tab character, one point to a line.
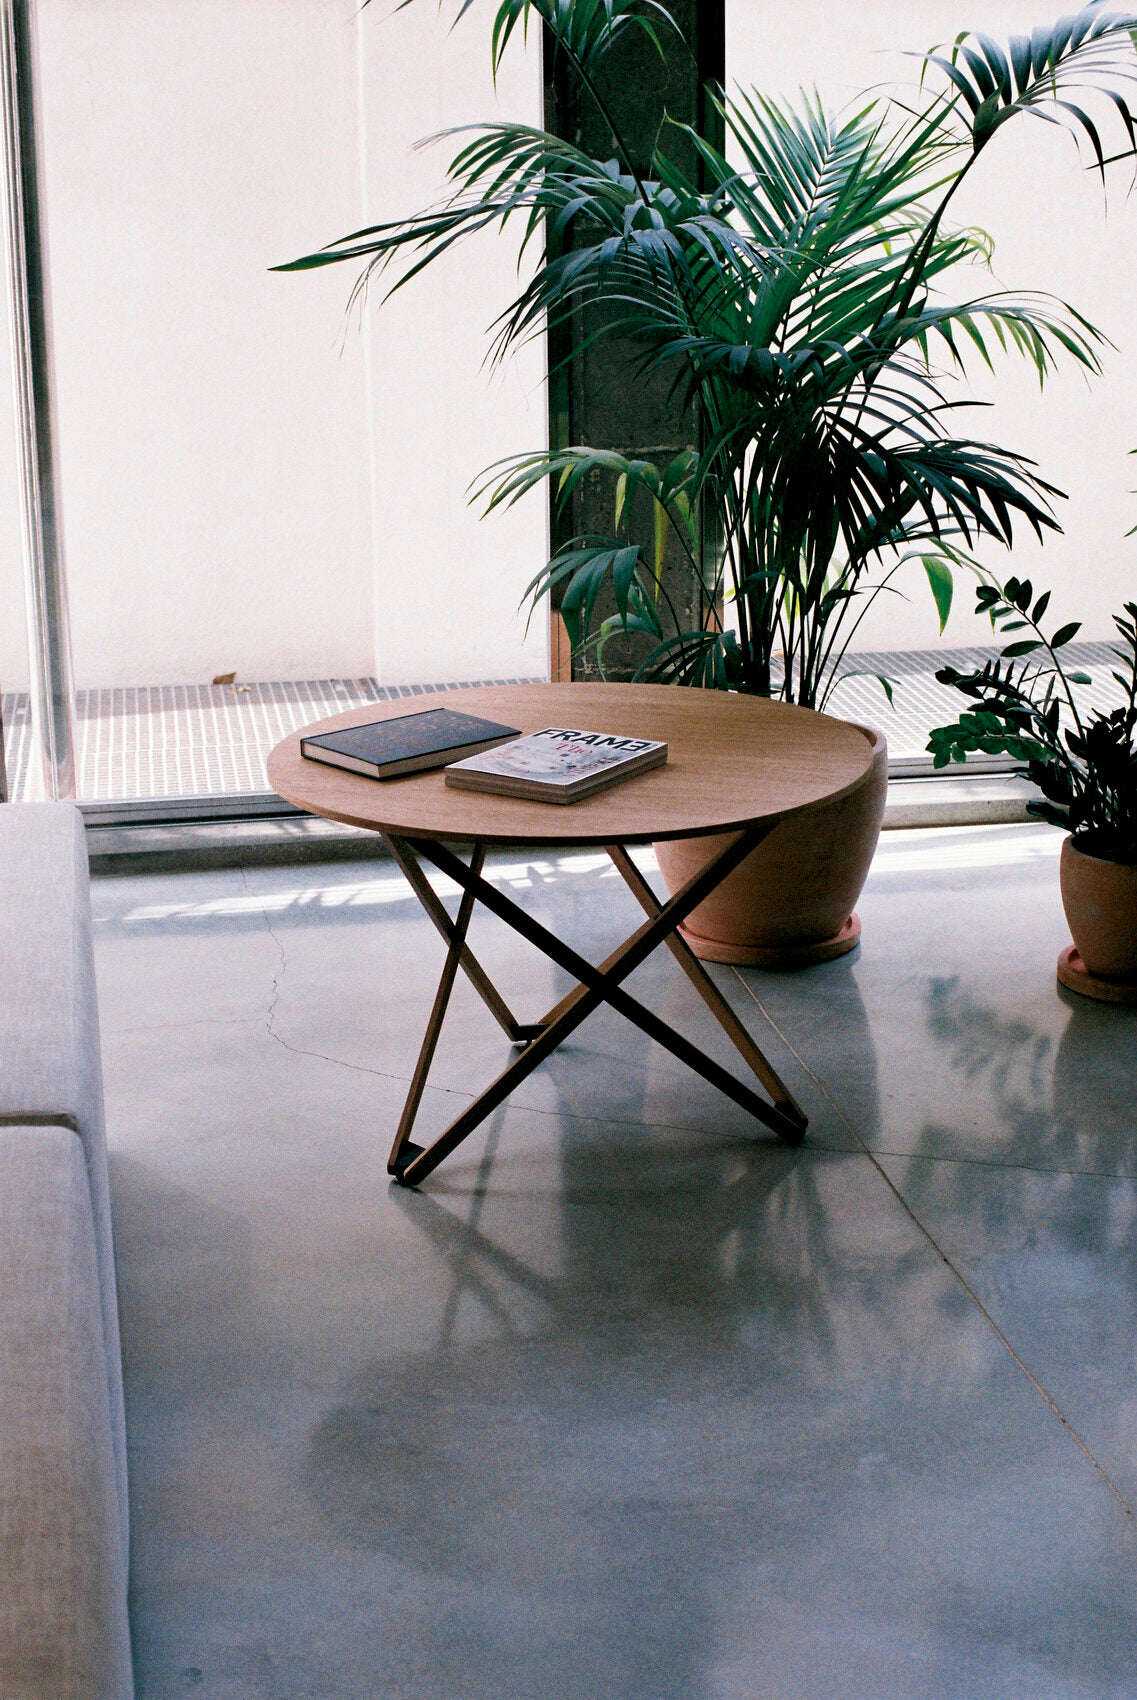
791	902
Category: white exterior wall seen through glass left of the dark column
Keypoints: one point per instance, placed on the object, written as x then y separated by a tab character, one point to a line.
218	421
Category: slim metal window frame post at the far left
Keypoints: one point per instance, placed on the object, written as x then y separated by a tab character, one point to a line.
48	628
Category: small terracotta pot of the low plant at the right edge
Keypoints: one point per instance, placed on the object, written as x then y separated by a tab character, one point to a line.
1100	902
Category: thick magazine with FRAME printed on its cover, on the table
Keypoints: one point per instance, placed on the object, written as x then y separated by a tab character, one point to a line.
560	764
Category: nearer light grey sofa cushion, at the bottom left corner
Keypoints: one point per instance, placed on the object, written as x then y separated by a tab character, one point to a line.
64	1628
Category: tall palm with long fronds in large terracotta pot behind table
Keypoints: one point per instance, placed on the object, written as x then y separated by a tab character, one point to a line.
796	297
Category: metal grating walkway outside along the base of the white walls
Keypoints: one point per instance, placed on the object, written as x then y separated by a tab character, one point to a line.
166	742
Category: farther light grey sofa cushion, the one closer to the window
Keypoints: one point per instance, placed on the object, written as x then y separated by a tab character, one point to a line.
50	1062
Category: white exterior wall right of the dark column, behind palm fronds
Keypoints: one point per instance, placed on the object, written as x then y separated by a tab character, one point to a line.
1046	213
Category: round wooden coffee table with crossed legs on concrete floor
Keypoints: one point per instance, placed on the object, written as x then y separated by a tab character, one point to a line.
737	766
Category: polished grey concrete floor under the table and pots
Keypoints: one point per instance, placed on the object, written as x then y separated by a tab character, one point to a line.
626	1403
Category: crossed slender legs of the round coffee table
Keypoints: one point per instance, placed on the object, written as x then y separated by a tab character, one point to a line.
597	985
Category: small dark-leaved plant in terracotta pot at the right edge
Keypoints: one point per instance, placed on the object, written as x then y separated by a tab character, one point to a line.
1085	766
